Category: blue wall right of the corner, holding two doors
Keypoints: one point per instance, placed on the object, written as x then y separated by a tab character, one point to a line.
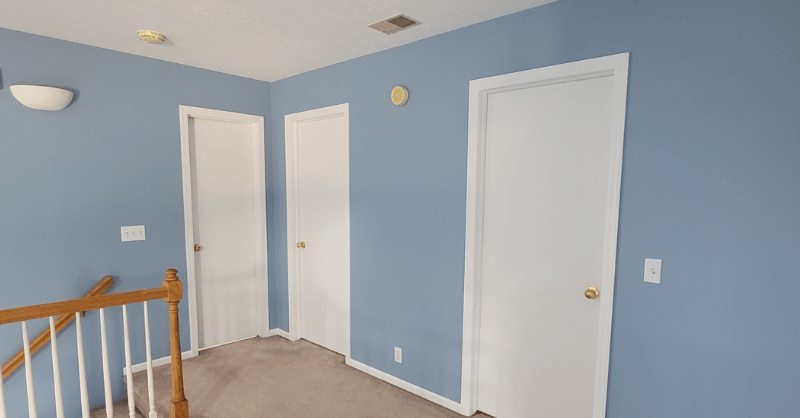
711	184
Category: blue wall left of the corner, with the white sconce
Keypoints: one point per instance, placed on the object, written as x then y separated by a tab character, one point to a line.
70	179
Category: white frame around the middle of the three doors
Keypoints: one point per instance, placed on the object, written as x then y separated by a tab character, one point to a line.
292	124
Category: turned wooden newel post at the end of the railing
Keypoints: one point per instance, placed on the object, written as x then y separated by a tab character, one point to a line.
180	406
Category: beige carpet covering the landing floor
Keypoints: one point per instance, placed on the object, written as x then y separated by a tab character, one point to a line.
274	377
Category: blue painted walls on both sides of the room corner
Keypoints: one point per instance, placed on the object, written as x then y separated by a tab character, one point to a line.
710	184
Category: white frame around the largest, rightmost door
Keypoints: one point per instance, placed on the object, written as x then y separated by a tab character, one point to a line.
479	91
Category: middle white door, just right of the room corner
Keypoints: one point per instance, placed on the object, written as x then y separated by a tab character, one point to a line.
318	147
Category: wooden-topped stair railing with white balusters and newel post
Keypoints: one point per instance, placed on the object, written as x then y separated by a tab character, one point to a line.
171	291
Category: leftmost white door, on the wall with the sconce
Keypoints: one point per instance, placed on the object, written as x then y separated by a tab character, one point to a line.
226	162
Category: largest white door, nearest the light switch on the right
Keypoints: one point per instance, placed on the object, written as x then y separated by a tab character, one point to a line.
550	187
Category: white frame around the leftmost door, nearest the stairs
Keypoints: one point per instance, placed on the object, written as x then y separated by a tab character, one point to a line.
260	192
